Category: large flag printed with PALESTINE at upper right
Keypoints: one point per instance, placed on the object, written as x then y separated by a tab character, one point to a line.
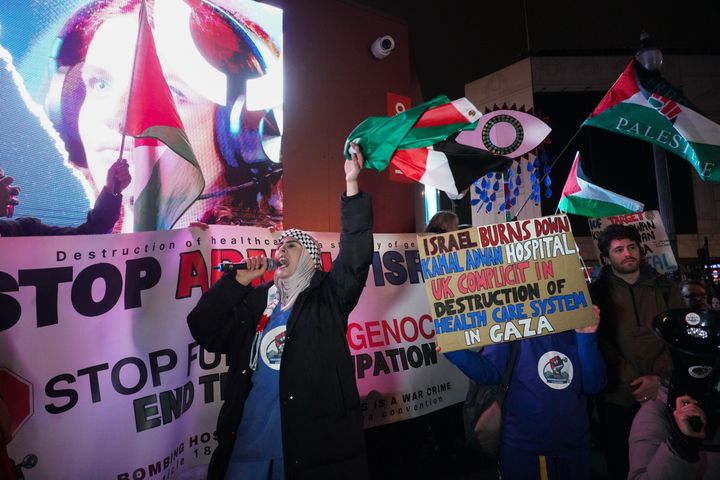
641	104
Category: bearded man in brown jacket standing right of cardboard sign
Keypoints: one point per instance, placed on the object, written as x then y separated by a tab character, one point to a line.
630	293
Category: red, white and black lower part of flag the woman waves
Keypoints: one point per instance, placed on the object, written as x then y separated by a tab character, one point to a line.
448	166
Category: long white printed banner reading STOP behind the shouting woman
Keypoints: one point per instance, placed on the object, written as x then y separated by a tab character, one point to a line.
104	380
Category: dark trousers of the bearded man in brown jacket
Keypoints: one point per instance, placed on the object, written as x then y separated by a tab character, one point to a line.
616	421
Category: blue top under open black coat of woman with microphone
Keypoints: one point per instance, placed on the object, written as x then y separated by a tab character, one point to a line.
257	453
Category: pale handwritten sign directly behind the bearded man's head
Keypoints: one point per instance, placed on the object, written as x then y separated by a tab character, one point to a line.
653	237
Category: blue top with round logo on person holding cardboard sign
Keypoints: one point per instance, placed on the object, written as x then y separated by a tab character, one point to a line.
545	409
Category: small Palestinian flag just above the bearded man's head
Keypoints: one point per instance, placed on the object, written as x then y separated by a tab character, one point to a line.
581	197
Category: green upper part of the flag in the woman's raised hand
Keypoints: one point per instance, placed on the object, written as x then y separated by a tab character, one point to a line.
419	127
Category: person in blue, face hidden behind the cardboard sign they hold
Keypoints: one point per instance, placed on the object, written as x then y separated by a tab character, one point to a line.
545	424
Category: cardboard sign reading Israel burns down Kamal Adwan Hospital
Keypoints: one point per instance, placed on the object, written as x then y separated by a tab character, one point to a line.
503	282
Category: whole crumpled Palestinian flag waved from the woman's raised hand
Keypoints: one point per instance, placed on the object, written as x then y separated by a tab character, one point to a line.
417	143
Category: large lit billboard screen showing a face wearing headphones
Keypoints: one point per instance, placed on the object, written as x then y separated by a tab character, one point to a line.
65	84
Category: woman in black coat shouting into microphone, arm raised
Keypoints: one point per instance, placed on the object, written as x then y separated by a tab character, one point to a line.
292	408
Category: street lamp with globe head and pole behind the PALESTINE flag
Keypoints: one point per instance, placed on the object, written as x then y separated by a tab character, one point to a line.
650	57
